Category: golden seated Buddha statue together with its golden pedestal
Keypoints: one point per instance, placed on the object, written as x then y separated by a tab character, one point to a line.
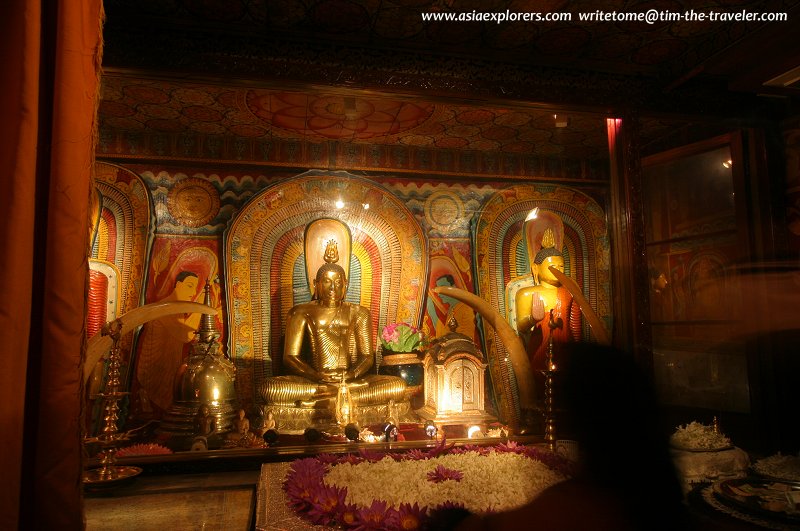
339	334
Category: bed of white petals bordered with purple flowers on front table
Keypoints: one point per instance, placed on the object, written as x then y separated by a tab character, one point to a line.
370	490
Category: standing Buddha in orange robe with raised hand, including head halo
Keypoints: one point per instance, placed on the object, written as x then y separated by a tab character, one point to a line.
545	309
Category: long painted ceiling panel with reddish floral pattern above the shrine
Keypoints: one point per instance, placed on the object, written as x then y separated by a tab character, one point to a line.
166	107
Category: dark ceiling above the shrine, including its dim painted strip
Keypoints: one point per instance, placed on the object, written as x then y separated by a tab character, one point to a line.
372	71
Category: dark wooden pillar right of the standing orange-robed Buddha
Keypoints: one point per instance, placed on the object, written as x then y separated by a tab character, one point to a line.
628	254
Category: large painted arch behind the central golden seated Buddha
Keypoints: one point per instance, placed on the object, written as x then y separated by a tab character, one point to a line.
266	267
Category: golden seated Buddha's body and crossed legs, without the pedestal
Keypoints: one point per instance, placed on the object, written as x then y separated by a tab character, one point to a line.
340	338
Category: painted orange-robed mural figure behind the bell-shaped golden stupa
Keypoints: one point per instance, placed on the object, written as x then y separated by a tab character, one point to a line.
162	343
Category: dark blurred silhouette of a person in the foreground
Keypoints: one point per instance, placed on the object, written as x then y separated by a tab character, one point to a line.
626	480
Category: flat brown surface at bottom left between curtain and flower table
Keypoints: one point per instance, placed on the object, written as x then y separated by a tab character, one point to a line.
218	501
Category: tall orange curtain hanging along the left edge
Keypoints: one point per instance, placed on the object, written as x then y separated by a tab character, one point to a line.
50	58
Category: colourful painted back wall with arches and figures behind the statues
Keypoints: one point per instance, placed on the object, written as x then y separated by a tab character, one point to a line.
211	225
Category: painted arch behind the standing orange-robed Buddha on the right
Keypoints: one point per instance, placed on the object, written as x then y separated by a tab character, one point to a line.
502	263
